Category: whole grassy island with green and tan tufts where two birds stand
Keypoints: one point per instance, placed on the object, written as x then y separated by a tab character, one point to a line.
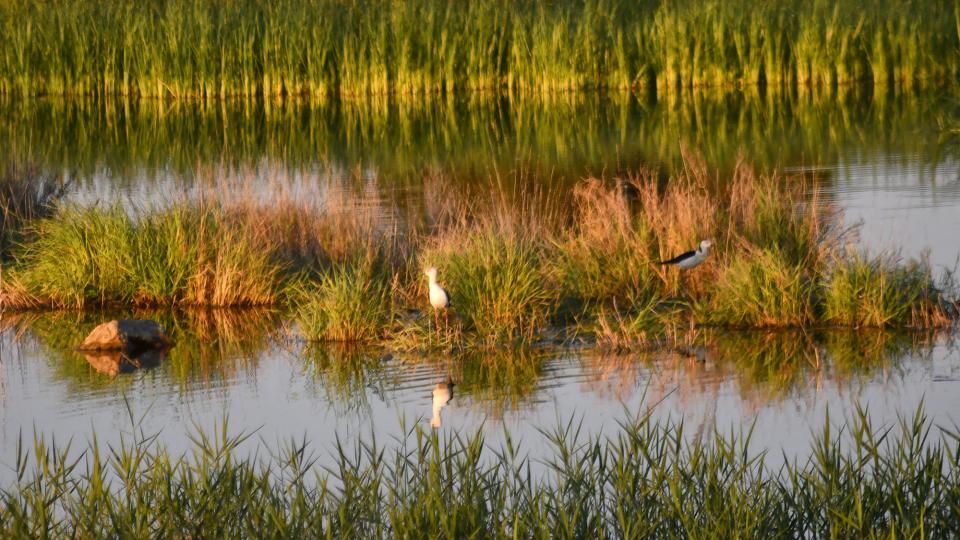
517	265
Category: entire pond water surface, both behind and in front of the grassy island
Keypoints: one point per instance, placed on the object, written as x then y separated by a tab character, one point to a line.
891	163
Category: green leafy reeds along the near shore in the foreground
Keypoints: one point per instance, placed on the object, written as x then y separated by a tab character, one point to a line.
651	478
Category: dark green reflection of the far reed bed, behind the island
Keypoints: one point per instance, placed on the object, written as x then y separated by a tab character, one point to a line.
129	141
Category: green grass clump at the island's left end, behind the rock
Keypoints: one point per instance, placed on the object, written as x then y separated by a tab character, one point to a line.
181	256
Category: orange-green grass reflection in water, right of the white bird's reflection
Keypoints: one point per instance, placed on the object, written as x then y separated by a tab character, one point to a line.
763	366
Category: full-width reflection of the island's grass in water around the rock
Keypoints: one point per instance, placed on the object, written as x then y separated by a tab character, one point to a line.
218	350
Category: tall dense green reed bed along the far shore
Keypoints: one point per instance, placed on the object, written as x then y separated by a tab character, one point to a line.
320	48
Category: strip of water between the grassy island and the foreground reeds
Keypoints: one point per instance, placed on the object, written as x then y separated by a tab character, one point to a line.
281	389
